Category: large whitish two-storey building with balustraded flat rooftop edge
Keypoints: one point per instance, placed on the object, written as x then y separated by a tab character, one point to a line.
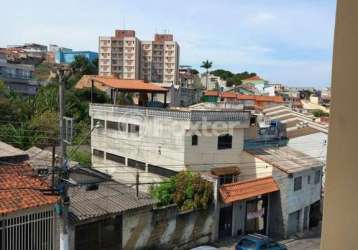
165	141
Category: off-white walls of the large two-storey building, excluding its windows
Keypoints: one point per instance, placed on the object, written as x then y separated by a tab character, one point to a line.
166	142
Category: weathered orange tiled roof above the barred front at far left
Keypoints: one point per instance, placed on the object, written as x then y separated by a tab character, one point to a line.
20	189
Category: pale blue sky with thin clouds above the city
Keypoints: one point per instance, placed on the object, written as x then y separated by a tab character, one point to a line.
284	41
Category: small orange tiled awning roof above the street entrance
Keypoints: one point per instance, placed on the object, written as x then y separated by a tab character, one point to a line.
246	189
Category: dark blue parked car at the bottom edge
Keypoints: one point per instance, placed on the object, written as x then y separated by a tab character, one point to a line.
258	242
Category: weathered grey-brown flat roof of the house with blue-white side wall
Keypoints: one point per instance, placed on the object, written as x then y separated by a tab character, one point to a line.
286	158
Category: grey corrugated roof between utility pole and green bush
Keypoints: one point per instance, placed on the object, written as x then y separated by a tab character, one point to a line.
110	198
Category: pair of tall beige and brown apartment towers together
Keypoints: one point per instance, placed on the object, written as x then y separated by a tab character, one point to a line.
126	57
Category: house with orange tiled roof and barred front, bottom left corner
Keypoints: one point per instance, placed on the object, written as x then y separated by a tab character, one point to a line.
27	205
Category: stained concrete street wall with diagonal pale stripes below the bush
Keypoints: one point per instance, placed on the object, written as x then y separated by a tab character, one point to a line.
167	229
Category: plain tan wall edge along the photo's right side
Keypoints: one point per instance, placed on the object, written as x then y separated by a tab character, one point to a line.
340	217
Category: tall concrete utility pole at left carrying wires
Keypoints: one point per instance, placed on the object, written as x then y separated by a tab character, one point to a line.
65	201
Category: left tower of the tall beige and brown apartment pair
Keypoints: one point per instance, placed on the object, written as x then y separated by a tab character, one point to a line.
119	55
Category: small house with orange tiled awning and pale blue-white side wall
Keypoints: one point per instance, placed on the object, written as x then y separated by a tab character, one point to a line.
272	190
